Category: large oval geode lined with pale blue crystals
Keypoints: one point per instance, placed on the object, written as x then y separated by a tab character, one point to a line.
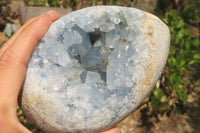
93	67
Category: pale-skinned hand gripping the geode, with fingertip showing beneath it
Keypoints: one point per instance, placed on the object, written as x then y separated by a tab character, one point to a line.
14	56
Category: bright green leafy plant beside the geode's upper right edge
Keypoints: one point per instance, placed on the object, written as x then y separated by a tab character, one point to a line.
184	49
